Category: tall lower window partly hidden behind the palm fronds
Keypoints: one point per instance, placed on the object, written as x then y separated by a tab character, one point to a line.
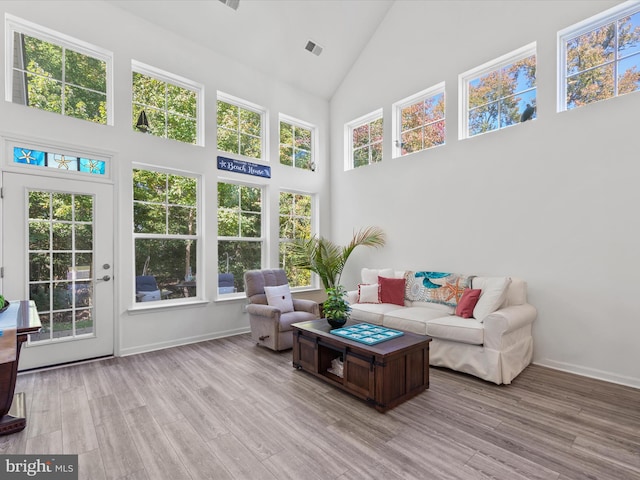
295	224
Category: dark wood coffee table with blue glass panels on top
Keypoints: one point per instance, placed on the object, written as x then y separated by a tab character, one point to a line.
384	375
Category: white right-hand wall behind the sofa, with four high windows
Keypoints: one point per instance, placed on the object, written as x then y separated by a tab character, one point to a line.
553	201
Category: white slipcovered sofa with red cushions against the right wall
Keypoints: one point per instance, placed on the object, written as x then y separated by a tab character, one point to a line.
496	347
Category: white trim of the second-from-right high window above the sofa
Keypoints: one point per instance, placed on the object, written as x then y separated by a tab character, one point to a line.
466	77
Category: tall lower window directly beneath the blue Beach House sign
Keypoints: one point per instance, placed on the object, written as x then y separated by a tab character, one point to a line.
240	237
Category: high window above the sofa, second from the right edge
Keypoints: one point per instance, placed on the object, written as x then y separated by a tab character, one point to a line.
498	94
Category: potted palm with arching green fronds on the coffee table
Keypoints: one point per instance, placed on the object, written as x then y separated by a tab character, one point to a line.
327	260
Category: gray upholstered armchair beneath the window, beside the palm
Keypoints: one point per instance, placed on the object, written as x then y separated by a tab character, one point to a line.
269	326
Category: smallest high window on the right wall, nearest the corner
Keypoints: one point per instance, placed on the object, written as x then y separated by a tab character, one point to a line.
364	140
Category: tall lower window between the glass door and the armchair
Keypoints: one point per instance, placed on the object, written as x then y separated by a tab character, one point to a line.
165	231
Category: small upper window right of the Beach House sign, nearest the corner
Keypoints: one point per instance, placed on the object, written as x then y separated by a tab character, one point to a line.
297	143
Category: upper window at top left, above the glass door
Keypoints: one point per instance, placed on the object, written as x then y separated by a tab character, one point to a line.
54	72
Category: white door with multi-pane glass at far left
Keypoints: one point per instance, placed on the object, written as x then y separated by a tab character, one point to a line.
57	250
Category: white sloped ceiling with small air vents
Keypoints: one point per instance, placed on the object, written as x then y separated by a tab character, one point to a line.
270	35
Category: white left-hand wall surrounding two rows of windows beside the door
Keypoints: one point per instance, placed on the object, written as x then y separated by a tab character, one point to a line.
130	38
